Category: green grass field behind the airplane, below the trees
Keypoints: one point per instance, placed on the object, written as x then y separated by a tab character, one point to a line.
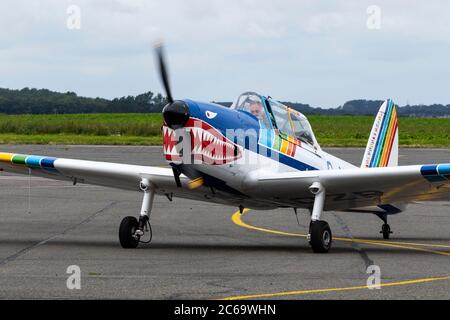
144	129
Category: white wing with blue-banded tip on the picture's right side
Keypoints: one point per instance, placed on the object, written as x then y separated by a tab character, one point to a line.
360	187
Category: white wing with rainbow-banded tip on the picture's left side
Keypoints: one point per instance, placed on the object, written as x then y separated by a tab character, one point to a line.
115	175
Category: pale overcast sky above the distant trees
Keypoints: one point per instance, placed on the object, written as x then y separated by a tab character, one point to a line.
323	53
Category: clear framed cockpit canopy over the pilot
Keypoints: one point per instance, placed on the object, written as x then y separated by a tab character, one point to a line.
276	116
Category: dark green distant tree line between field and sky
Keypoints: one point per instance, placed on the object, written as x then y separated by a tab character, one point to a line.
43	101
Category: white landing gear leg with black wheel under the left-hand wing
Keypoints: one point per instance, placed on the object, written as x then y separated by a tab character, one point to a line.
131	230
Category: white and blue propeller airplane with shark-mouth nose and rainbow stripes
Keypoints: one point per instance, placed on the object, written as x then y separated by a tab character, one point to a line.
257	154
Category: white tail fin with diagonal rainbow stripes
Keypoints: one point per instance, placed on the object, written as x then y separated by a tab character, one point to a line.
382	147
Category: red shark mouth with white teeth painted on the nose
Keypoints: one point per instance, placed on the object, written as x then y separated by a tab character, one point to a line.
207	144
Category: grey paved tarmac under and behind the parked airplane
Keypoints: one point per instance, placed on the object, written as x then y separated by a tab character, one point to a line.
198	251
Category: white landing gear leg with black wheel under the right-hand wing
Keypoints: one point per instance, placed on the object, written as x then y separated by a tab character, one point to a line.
320	237
